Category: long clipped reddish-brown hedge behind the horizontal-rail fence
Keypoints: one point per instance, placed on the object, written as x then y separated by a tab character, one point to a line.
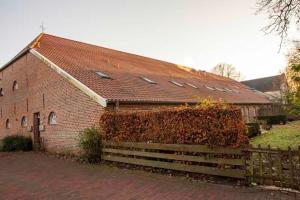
214	126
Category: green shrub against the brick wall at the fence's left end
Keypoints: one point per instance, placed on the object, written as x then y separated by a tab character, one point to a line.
90	143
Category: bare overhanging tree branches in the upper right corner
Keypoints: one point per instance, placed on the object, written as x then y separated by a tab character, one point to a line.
281	14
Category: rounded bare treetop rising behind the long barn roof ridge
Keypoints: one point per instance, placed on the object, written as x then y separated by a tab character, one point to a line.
227	70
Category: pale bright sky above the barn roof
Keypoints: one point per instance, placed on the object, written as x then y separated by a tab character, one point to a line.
195	33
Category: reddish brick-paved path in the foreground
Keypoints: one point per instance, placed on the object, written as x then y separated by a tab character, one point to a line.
36	176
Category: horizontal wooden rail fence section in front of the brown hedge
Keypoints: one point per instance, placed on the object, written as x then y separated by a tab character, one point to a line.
228	162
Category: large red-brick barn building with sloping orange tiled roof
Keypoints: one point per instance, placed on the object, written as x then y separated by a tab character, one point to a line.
56	87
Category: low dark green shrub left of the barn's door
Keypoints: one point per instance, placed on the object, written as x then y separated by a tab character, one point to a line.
16	143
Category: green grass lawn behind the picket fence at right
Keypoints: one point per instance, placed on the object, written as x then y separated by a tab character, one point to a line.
280	136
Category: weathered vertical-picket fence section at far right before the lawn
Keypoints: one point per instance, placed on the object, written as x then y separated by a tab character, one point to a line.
268	166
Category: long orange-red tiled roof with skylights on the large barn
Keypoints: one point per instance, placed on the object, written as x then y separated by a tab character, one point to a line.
82	61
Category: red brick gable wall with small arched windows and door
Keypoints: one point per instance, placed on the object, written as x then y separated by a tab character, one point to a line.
45	91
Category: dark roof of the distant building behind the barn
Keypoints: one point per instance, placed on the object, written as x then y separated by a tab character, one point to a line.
266	84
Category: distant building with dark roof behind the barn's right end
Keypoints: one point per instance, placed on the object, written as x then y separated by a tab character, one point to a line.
273	86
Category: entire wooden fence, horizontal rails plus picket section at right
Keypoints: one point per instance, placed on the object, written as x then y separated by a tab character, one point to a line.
264	166
